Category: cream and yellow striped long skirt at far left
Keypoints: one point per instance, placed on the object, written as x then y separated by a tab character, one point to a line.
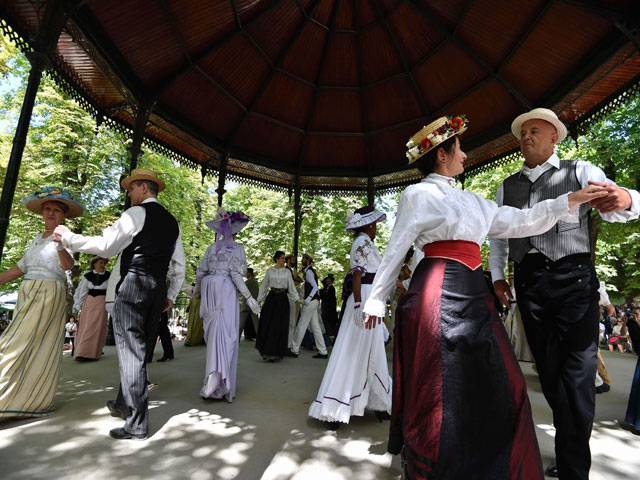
31	350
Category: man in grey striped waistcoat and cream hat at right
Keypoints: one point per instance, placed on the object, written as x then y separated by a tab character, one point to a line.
555	281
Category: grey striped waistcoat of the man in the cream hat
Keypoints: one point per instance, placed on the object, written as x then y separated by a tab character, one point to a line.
564	238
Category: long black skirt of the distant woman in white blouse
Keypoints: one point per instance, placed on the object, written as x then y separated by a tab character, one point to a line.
273	328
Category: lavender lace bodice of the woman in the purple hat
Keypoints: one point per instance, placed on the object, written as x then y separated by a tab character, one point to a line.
231	260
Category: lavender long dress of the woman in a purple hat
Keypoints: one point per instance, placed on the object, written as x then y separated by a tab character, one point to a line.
219	278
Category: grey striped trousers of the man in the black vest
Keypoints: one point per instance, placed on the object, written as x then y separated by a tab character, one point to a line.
136	313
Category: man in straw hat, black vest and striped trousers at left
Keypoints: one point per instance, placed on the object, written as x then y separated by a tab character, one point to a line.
147	237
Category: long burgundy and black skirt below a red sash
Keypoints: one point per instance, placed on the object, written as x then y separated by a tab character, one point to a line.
460	406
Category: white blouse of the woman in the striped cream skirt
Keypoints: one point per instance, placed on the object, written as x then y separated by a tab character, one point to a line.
41	261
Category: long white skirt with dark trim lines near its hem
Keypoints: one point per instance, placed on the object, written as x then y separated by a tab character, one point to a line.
357	375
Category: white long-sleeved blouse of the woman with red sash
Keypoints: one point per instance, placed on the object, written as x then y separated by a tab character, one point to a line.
435	210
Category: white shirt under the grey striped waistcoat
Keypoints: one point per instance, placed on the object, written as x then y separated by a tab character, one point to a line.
585	172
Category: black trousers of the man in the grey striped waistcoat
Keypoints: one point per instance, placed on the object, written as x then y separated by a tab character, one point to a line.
558	302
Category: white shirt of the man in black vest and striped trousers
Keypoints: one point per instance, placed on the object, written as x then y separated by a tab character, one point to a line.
117	237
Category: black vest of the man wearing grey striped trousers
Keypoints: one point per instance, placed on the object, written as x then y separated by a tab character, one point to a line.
151	250
